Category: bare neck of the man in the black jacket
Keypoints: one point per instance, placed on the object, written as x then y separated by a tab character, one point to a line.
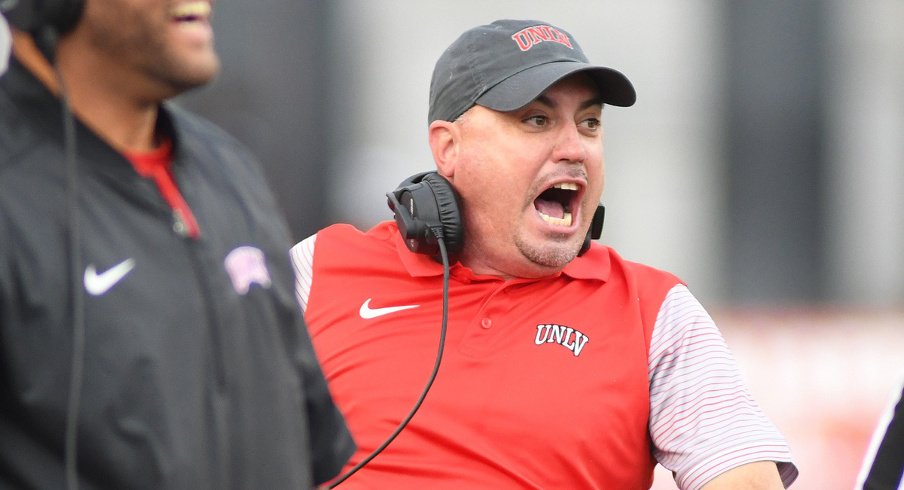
124	122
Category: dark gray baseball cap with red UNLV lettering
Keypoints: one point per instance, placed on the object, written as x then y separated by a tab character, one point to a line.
507	64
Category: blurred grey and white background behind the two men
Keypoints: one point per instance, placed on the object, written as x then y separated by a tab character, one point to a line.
762	163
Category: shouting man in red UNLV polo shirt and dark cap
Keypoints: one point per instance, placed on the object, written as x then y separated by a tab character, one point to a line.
564	365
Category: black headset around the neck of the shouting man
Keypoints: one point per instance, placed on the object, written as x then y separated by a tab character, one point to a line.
425	204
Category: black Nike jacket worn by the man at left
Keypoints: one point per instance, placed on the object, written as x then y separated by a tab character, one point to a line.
198	369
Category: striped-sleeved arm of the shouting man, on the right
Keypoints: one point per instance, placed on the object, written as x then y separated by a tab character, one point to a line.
703	419
